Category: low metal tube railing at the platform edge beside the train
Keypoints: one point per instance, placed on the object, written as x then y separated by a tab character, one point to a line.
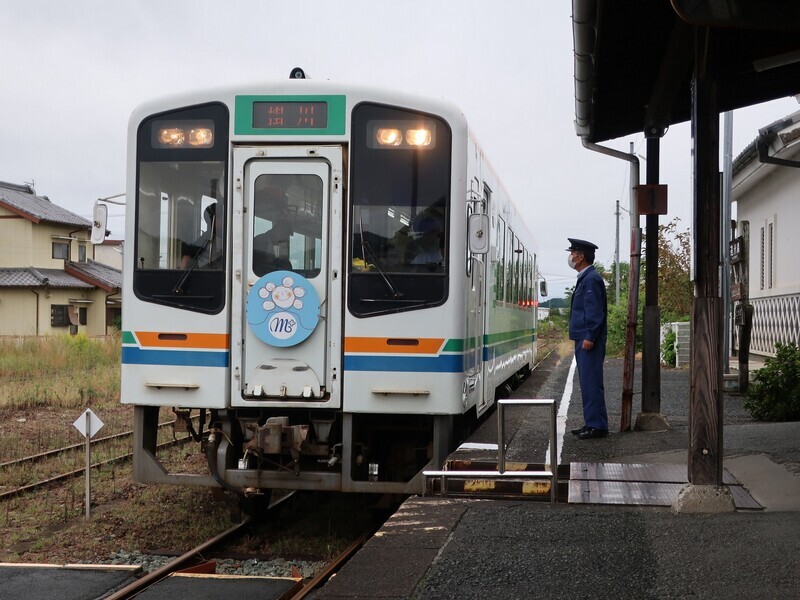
501	472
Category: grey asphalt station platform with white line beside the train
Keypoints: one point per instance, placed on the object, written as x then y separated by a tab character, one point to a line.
612	532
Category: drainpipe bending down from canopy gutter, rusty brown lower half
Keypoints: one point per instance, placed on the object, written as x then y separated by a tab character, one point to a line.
633	283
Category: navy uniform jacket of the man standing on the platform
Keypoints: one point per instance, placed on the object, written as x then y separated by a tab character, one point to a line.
588	308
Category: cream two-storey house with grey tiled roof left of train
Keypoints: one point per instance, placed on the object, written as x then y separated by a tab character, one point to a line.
49	281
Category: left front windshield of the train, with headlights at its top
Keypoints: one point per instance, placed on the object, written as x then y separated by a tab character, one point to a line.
180	209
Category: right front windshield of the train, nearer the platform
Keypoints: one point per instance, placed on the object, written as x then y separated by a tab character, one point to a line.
400	211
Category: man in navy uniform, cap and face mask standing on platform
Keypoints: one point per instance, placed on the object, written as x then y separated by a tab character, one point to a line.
588	326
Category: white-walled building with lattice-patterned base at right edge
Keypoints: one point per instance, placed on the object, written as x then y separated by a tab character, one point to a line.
766	187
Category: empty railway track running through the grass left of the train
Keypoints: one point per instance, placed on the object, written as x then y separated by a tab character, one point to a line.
75	449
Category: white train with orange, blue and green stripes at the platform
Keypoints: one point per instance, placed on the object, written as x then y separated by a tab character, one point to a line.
331	276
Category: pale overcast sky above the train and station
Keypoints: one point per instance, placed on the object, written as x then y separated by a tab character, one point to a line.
72	72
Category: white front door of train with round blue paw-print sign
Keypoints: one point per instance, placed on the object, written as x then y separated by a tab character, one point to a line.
287	203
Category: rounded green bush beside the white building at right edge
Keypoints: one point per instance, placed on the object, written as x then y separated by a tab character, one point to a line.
774	394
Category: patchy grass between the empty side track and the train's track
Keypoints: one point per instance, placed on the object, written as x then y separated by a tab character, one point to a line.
50	525
